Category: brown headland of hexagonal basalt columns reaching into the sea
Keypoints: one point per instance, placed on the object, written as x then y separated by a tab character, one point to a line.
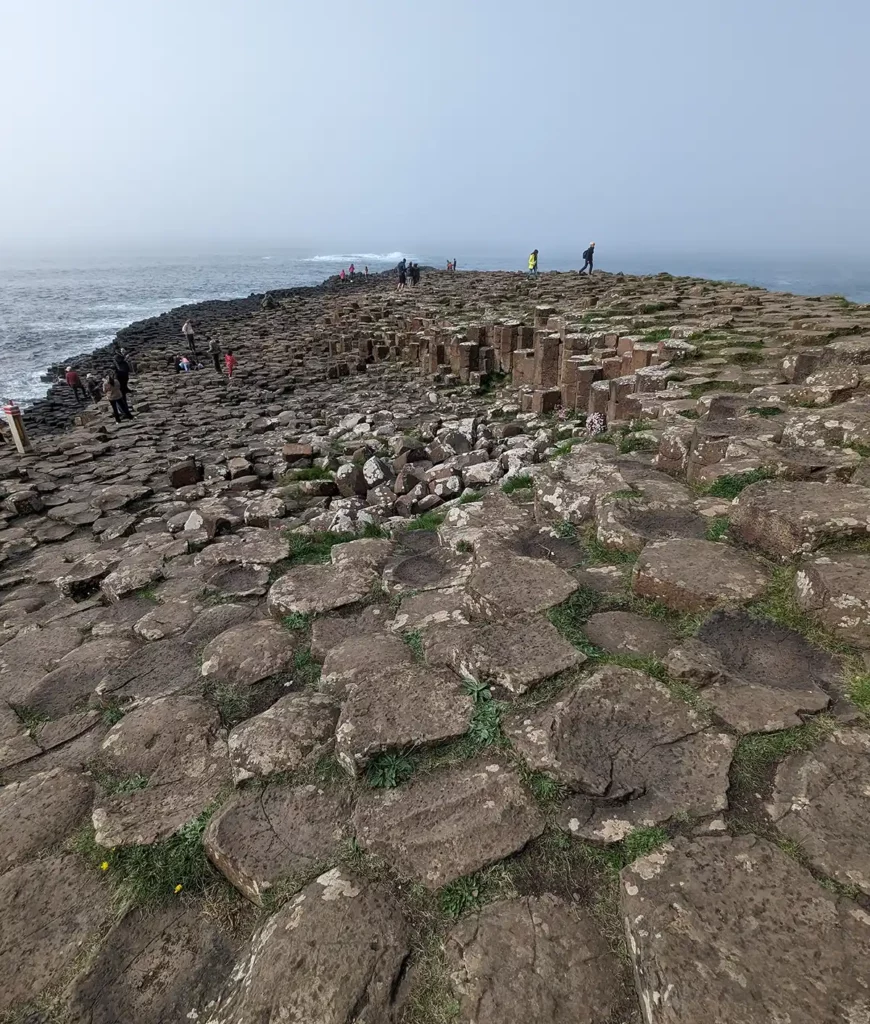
371	688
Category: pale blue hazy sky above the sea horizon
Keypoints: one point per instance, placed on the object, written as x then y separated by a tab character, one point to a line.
340	125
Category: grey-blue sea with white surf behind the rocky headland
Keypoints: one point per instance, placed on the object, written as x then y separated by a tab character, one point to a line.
54	307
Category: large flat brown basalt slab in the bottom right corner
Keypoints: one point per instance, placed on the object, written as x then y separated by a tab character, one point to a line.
686	910
